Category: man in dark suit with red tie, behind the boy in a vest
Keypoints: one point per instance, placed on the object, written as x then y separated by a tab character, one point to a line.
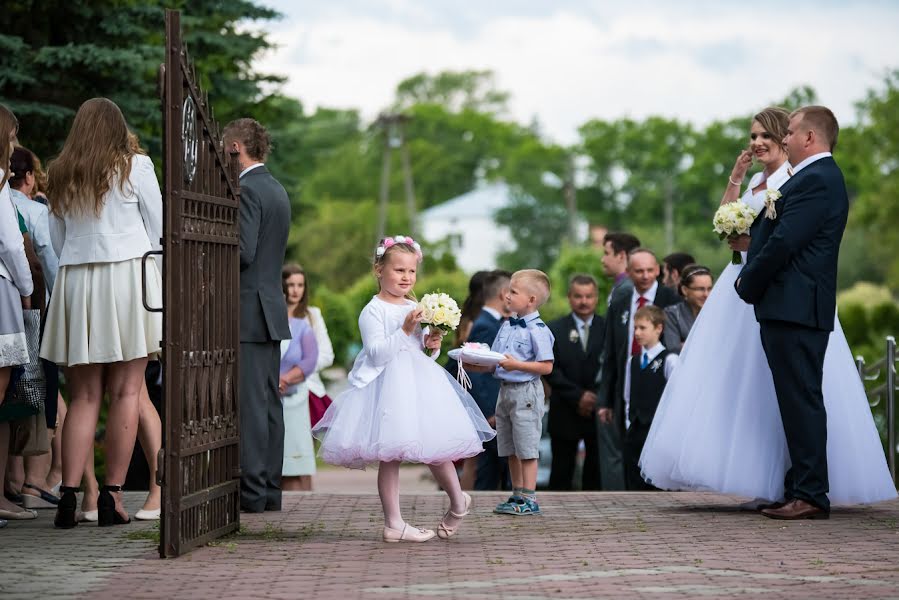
643	270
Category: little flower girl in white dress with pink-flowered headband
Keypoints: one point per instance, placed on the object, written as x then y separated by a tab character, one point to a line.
401	405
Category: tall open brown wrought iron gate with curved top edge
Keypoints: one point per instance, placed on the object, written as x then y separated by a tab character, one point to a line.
200	462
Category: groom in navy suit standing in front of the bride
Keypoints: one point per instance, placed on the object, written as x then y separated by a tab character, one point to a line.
791	279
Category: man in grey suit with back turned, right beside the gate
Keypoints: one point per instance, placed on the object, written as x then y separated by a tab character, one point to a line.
264	225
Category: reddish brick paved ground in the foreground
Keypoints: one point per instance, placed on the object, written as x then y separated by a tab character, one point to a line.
599	545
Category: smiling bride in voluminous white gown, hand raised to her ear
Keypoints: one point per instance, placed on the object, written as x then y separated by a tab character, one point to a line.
718	425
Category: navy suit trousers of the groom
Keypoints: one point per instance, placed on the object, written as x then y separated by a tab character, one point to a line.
796	358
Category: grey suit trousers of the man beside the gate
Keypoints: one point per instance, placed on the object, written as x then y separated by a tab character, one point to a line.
261	427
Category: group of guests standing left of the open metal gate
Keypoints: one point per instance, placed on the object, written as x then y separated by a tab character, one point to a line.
71	241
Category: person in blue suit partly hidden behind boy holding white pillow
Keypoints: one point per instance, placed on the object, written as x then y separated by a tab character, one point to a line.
492	470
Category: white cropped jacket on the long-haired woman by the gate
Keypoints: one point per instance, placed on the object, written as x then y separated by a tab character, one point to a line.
129	225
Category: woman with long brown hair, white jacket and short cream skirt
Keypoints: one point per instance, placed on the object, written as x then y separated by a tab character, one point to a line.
105	213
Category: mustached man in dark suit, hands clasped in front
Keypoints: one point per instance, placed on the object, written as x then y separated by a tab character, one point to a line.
572	401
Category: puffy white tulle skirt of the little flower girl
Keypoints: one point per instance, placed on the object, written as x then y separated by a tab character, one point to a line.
413	412
